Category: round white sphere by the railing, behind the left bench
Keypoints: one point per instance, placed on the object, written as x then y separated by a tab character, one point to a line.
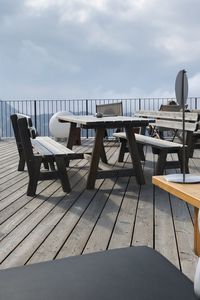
58	129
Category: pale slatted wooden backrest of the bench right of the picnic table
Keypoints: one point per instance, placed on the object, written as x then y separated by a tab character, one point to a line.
172	120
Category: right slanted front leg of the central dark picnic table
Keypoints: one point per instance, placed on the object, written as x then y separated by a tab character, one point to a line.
133	149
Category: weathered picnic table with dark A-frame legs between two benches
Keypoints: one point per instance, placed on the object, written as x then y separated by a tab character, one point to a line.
100	124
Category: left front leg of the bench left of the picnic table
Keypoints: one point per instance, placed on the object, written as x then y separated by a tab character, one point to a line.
34	173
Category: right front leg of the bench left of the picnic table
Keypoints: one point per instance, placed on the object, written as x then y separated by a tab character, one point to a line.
61	166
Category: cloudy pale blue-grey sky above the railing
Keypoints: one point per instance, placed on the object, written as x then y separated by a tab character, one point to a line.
76	49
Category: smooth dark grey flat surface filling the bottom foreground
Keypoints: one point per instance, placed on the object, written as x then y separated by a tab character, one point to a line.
135	273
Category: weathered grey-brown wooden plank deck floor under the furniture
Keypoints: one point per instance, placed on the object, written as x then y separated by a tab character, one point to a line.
118	213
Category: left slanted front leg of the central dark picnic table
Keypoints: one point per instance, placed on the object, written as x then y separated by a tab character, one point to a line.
96	153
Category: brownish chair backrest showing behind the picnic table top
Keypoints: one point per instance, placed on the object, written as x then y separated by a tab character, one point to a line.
110	109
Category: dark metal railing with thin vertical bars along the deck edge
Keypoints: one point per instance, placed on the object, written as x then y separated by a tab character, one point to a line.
42	110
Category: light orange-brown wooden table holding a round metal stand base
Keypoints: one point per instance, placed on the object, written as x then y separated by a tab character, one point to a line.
189	193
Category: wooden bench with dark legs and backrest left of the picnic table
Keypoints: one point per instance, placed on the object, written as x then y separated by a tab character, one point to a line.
38	150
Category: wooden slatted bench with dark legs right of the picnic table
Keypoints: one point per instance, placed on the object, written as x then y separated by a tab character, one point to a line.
170	120
